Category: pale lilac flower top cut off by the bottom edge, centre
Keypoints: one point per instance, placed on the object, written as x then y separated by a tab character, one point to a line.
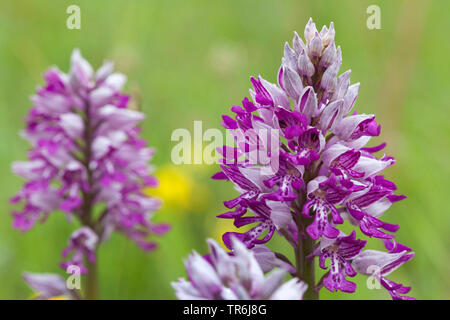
235	276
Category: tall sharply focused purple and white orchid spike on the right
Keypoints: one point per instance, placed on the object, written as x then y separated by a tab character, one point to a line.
300	163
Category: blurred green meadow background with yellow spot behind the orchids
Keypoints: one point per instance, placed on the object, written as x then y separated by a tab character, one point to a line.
191	60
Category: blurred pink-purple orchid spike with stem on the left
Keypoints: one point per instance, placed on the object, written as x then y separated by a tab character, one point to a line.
86	151
